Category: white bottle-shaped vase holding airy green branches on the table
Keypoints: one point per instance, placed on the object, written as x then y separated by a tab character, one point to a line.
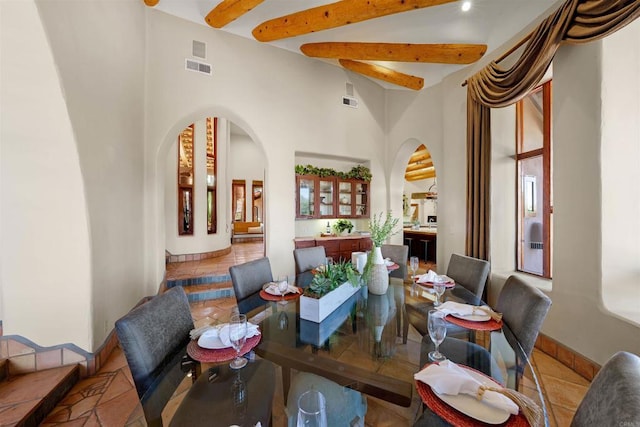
376	272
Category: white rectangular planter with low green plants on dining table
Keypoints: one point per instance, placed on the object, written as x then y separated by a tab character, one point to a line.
331	285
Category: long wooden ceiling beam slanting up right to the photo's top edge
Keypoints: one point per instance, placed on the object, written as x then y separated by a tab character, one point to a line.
334	15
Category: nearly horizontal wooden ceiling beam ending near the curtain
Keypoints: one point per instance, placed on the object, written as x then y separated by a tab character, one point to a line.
404	52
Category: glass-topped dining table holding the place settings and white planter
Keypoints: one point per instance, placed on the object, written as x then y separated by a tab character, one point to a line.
359	345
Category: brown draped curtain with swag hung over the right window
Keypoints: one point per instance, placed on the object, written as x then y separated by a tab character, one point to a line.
576	21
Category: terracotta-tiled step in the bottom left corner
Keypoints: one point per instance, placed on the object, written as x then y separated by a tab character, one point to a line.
37	411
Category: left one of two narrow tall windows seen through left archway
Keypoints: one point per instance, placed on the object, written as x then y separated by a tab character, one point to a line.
185	181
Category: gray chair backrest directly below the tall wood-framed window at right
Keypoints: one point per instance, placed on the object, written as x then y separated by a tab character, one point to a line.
523	309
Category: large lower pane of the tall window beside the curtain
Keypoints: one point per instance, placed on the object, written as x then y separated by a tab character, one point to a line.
531	218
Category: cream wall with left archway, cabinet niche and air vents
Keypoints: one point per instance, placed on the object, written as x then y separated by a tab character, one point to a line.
284	101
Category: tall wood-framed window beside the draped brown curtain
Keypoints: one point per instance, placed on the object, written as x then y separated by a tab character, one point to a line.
534	193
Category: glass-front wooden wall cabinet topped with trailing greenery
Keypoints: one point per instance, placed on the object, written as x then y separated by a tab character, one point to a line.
329	197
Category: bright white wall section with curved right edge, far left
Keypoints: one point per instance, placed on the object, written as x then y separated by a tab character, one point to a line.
45	263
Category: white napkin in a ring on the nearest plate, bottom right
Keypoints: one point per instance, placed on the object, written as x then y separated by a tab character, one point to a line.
448	378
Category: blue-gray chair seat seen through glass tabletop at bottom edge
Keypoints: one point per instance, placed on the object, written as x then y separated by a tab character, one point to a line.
344	406
